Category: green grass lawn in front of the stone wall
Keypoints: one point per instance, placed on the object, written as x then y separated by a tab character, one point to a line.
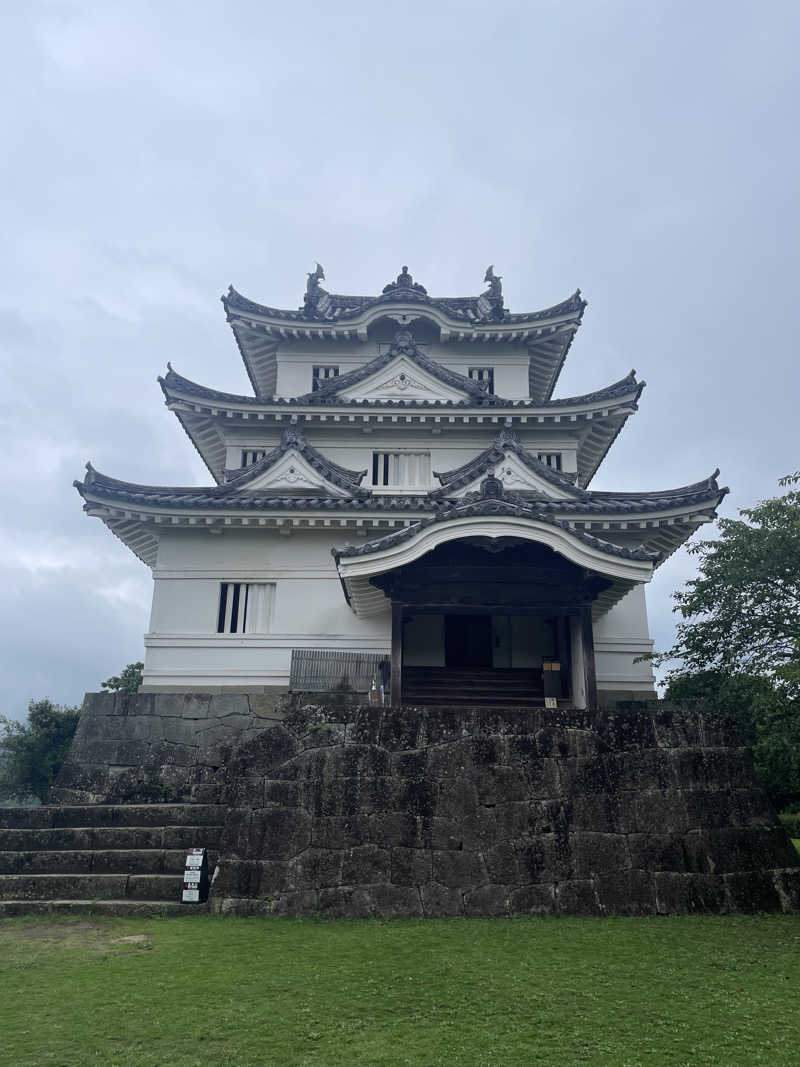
210	991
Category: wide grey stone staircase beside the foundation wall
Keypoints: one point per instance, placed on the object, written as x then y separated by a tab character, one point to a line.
113	859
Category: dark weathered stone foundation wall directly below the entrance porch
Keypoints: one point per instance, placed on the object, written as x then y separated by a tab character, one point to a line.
474	813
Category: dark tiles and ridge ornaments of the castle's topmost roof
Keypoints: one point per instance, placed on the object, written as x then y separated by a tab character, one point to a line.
337	308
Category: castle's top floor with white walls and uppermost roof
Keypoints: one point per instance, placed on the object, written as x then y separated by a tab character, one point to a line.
290	354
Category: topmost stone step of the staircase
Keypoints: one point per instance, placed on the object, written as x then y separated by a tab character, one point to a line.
137	815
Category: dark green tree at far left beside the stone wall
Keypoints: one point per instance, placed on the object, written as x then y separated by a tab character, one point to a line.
33	753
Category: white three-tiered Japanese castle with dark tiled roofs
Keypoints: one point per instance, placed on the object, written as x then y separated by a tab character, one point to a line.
402	499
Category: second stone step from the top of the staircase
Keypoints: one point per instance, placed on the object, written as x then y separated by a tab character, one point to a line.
110	837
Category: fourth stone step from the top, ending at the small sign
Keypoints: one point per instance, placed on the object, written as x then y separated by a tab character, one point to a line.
90	887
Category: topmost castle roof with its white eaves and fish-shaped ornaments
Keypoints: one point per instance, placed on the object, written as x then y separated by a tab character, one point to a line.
546	336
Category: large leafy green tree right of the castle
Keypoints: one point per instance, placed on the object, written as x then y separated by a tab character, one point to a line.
738	645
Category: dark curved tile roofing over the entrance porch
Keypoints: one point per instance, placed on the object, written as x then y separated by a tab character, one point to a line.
490	502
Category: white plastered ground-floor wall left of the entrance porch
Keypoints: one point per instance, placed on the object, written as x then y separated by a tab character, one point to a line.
183	648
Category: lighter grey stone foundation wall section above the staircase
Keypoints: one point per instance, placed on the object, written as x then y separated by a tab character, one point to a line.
150	749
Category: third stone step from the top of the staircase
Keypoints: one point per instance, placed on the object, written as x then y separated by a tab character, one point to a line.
101	862
